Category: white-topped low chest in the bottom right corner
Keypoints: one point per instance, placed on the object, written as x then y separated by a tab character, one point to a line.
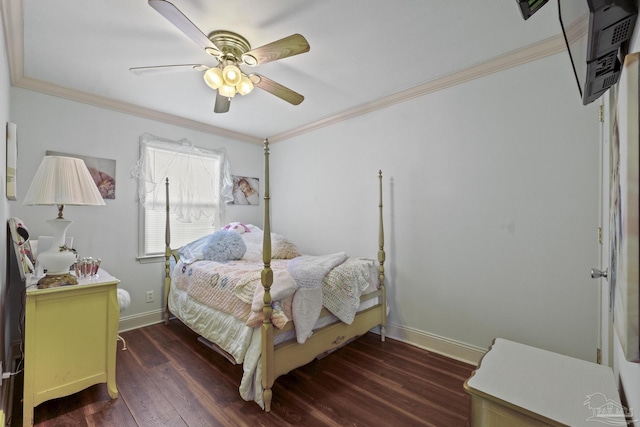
516	384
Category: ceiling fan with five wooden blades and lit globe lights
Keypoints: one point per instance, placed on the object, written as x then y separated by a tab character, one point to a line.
231	50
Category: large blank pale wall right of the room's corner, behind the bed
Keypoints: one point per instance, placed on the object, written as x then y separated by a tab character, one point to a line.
491	207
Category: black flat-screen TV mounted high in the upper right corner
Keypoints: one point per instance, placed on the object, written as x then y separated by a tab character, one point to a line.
594	31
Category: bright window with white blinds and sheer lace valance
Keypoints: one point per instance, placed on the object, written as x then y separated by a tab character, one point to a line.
199	187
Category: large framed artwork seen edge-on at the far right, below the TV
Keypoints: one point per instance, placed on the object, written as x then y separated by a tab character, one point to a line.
623	216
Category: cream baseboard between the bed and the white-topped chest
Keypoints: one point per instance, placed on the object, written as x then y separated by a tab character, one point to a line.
447	347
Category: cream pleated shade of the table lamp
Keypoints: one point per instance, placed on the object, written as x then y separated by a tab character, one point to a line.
63	181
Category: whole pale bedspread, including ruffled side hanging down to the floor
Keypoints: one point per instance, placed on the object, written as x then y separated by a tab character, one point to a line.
234	288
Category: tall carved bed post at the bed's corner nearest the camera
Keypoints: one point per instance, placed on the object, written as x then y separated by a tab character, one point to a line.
267	356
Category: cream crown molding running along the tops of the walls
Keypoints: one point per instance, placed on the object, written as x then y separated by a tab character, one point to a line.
12	14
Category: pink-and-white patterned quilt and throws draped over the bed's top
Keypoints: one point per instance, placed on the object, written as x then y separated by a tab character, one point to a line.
300	288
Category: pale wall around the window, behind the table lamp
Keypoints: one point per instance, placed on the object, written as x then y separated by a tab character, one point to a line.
109	232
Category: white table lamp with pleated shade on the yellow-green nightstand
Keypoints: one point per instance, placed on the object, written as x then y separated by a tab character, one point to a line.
61	181
